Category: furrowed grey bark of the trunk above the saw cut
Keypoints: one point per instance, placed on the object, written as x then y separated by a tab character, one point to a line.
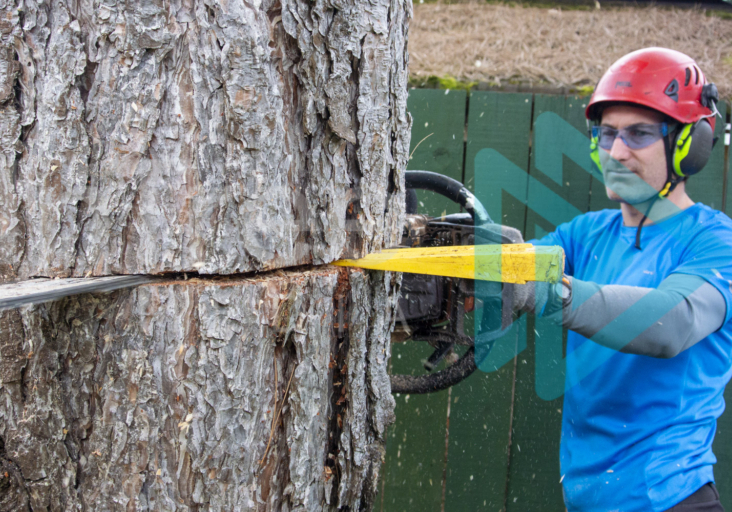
199	135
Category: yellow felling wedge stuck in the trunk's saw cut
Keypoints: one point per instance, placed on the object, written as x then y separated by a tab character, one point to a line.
510	263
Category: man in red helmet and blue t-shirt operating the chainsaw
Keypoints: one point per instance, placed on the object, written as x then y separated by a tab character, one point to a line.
647	299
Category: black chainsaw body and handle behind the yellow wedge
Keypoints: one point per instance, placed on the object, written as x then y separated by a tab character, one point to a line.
433	309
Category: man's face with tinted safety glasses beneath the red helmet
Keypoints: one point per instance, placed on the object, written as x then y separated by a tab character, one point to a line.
648	163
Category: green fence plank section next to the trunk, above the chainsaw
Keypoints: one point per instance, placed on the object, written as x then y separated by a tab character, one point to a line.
439	124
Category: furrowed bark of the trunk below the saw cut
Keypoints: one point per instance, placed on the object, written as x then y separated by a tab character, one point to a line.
163	397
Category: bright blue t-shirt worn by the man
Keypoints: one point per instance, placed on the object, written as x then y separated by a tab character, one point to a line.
637	431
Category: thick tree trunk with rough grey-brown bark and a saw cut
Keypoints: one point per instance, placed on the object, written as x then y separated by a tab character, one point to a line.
216	142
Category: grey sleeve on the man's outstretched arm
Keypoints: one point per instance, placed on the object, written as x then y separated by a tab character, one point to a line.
660	322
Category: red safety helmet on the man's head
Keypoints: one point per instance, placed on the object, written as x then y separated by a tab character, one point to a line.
664	80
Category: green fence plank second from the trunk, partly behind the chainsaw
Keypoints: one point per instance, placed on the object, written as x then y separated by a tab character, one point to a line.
480	418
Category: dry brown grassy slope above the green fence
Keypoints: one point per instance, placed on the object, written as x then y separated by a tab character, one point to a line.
499	44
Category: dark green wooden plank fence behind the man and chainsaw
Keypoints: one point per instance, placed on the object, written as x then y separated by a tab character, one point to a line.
491	443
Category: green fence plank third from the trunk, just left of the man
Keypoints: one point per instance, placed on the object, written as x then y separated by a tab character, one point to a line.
534	453
